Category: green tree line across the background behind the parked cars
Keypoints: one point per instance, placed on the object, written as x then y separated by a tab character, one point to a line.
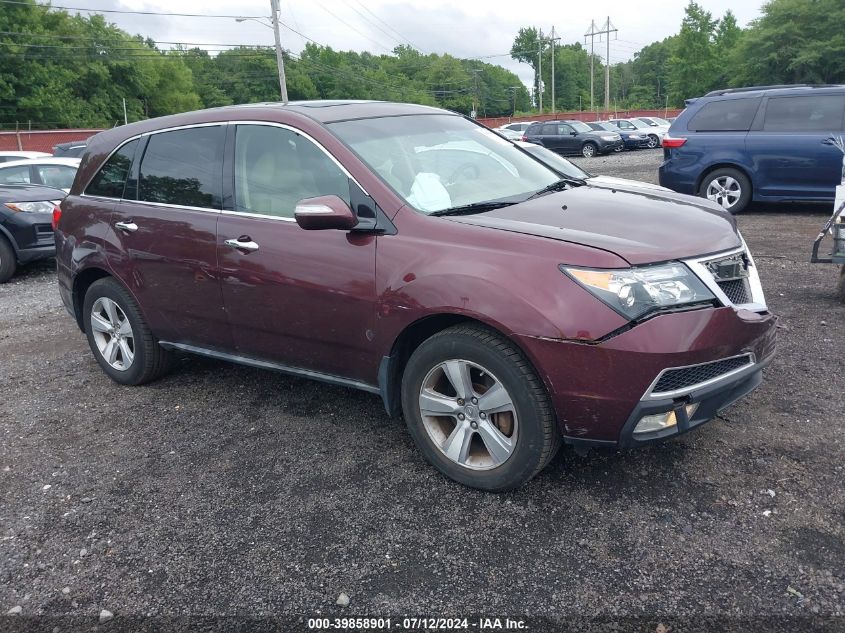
63	70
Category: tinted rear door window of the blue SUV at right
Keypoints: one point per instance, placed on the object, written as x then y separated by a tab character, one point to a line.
812	113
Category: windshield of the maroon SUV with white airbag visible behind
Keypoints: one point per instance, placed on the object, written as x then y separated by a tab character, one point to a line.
438	162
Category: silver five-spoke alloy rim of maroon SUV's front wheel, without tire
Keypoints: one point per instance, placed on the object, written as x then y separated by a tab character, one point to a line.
468	414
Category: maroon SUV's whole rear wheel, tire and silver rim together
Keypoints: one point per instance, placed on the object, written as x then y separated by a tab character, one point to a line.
119	337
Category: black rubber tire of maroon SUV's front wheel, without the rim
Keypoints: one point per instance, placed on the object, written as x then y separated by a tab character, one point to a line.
537	439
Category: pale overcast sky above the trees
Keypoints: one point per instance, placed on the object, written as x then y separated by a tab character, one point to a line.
471	28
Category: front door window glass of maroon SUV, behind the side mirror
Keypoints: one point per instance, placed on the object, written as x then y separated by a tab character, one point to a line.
275	168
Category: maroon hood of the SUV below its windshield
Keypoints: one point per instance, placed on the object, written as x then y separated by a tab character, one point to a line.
640	225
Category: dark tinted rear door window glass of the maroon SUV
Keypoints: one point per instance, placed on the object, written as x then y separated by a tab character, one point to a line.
184	167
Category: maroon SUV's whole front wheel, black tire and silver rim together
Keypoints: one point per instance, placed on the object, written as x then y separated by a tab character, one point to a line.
477	410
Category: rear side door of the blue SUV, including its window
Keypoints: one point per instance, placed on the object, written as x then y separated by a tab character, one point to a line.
792	154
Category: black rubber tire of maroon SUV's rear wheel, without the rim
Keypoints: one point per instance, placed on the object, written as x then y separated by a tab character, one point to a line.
151	361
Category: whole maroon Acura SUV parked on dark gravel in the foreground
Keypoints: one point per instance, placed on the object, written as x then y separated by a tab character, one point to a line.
407	251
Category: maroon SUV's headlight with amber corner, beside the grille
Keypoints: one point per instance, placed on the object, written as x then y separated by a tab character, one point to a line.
634	292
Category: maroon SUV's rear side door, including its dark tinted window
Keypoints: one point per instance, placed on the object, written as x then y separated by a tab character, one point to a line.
165	235
